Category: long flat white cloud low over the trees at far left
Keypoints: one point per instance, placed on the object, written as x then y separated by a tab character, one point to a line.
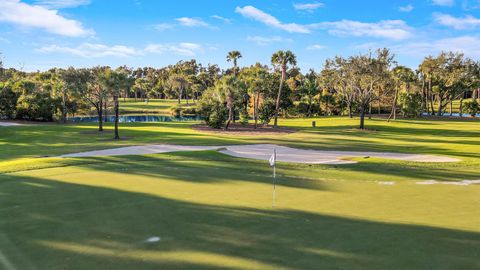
89	50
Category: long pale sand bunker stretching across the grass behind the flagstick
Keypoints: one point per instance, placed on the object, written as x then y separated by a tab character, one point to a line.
264	151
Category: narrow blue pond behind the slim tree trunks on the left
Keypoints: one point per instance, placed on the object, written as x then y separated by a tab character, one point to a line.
135	118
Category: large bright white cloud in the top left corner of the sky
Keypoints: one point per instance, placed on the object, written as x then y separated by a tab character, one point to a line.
25	15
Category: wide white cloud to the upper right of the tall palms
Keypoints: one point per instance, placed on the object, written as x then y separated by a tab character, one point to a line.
390	29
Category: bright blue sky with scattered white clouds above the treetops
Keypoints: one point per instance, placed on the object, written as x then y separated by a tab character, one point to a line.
40	34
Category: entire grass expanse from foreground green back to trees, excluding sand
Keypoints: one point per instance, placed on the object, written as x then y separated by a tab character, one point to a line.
212	211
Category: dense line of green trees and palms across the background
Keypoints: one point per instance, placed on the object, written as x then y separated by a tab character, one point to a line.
361	84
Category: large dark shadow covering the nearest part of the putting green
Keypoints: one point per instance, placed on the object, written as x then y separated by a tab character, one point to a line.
58	225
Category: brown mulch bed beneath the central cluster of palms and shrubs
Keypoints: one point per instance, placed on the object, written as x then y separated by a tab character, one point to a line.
249	129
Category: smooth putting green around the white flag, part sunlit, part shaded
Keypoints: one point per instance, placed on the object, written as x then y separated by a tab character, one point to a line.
214	212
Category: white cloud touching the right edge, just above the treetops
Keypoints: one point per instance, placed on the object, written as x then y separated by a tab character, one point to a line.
469	45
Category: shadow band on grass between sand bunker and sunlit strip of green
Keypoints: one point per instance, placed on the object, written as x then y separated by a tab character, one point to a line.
199	167
